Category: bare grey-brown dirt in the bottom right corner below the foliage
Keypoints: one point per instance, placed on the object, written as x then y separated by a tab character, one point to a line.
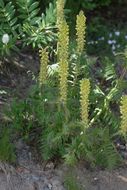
104	180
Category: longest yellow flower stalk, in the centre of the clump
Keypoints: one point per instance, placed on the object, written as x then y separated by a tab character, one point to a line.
63	43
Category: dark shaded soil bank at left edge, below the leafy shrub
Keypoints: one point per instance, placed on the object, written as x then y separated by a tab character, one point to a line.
16	77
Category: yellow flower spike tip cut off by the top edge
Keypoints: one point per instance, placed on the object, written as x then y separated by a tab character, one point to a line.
60	11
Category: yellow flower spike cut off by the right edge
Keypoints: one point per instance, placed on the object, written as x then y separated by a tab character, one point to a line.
123	111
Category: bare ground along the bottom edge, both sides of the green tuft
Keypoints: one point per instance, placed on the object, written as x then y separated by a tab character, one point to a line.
28	175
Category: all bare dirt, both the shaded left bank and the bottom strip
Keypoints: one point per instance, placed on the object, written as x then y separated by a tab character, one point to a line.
29	175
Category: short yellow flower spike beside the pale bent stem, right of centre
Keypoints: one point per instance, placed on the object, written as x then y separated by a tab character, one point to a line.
84	100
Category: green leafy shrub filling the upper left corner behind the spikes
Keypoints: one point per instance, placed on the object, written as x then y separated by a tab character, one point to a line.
25	26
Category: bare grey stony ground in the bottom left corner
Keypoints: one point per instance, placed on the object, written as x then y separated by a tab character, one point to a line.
28	175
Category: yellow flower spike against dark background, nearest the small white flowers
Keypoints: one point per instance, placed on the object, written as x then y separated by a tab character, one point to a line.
81	30
